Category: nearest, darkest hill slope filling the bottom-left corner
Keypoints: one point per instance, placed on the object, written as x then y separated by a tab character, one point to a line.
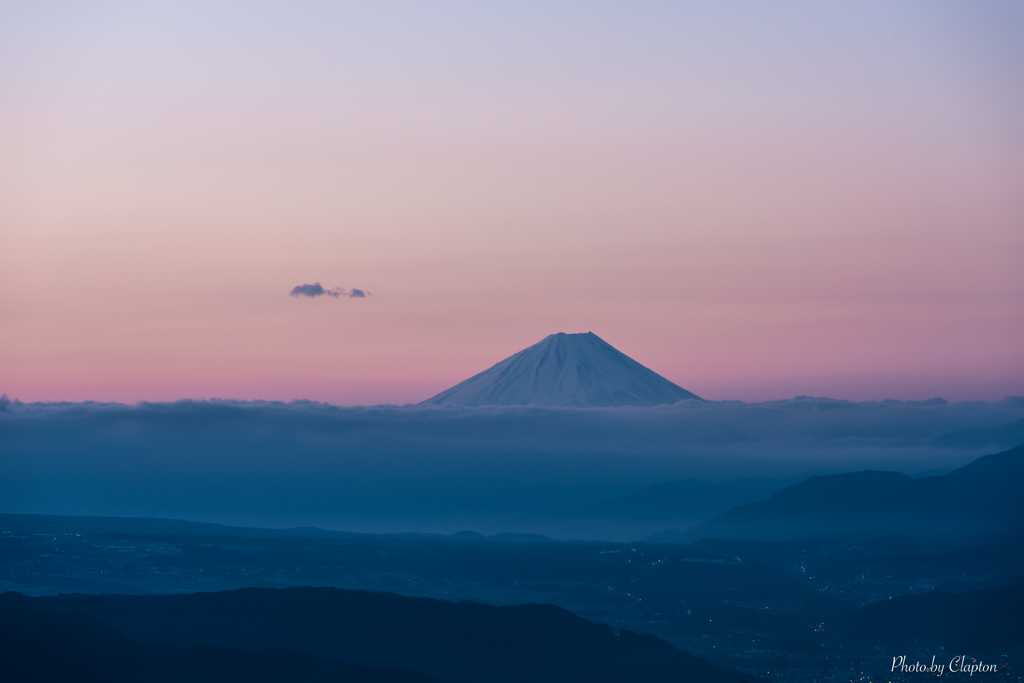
44	648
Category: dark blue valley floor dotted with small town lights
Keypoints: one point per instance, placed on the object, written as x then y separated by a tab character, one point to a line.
780	612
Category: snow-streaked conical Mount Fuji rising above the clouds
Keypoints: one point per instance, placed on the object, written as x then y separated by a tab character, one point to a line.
566	370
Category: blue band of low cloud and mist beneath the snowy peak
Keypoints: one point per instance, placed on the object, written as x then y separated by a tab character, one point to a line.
442	469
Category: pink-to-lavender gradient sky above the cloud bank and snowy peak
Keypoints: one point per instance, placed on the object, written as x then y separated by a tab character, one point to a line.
755	200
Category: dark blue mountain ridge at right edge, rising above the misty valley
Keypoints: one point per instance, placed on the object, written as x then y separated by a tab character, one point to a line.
983	498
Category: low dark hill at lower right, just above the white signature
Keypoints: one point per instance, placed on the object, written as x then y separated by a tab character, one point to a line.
972	622
